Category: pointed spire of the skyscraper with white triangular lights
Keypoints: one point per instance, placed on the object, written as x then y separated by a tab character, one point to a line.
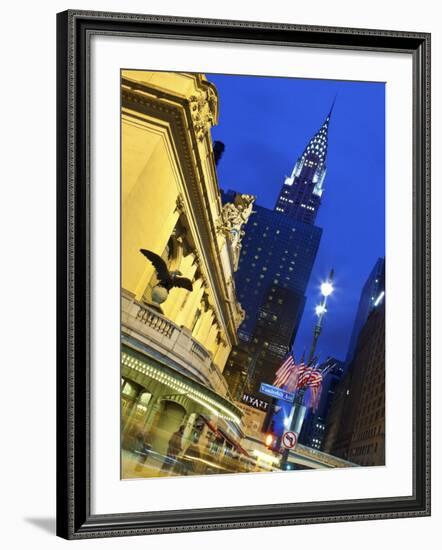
300	196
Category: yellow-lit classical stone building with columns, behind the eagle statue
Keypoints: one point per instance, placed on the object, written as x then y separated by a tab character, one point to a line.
174	350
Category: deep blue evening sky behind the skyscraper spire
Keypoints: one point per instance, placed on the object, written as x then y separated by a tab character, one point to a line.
265	124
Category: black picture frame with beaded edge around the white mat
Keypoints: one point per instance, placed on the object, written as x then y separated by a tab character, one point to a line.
74	518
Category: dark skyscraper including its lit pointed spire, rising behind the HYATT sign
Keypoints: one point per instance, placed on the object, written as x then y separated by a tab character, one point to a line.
278	252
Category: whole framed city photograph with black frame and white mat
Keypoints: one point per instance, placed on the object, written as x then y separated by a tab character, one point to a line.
243	274
